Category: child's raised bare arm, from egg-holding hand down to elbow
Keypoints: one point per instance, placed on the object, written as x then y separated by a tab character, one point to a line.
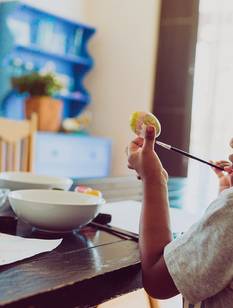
155	231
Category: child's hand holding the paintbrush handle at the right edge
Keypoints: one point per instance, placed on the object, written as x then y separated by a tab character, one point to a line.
226	176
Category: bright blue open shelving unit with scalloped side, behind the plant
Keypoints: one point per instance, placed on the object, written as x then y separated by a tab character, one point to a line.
35	40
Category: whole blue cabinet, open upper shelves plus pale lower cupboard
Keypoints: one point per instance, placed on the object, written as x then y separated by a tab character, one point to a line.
35	40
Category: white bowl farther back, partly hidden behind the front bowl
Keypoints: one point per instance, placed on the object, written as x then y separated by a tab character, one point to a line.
27	180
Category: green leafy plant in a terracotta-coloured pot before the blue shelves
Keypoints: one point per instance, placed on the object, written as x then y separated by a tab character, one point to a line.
41	88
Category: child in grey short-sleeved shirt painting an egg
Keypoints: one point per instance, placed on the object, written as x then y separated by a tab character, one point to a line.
199	265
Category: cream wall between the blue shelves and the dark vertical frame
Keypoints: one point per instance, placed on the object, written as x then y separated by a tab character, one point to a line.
124	50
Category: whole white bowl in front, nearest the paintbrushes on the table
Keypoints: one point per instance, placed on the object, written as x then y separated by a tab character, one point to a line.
53	210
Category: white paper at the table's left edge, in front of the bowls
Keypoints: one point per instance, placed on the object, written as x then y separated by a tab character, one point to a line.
15	248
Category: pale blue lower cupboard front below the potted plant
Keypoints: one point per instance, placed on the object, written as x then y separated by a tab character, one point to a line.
72	156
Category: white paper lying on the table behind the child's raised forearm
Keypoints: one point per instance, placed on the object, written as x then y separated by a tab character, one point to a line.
126	215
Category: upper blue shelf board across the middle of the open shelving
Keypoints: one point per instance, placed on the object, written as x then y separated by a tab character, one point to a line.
67	58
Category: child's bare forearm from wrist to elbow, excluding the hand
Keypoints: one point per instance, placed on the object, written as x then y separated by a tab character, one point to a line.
155	234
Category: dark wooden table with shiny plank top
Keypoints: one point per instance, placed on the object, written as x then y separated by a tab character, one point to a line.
88	268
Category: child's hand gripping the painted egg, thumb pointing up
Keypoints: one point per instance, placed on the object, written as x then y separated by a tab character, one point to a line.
143	159
